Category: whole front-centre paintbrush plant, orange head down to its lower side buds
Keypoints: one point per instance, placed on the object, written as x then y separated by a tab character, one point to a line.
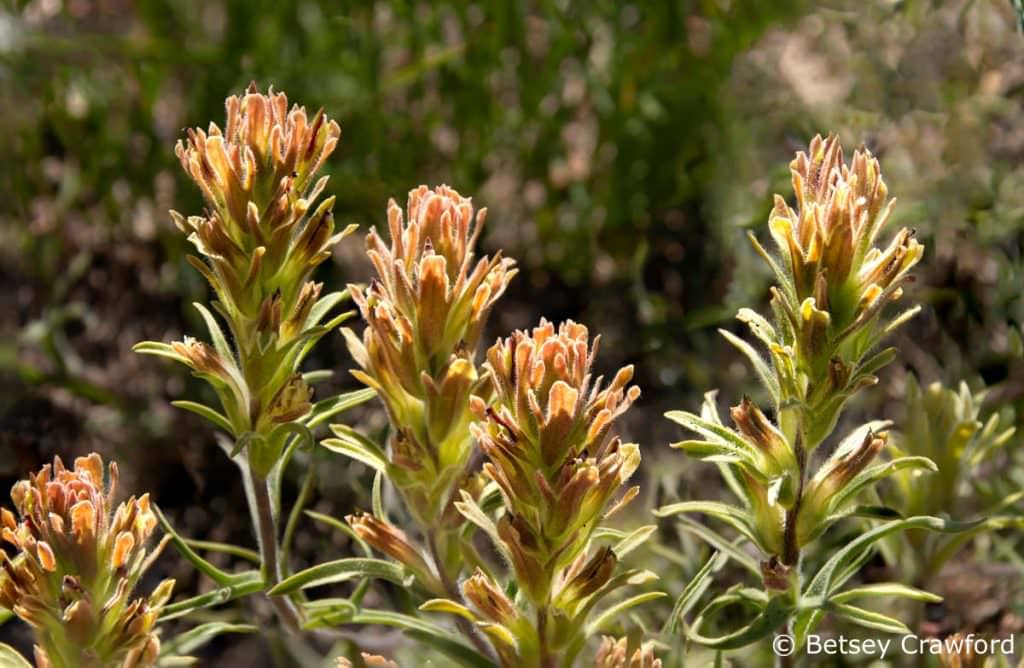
550	449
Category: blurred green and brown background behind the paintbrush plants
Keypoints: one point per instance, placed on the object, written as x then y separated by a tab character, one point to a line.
624	150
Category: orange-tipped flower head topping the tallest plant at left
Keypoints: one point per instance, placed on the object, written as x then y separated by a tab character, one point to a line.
257	177
